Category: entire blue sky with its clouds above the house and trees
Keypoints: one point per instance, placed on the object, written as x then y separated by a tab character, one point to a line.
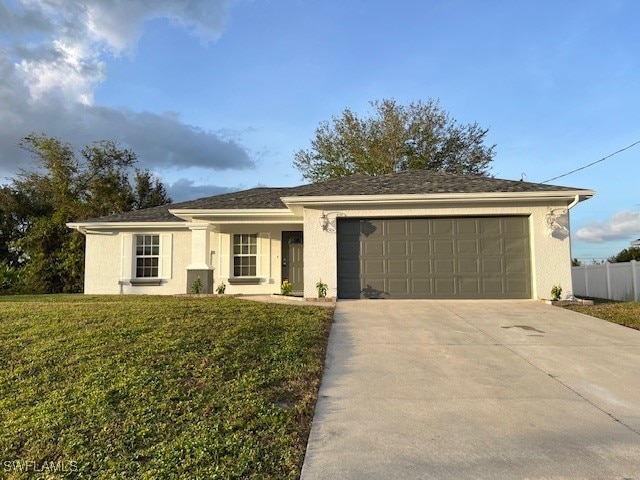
216	95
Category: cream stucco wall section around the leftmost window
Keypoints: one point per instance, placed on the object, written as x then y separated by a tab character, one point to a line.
103	264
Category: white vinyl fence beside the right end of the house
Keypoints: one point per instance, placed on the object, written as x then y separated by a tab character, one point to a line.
615	281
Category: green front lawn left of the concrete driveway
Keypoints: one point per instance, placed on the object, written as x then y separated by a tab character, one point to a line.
158	387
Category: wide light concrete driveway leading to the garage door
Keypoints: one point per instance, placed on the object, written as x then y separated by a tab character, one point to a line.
476	389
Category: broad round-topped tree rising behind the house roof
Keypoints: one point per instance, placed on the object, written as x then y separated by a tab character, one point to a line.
396	137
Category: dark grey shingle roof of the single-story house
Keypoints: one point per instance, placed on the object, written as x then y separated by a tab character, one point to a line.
407	182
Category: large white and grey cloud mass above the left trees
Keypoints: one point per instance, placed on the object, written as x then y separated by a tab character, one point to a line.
52	57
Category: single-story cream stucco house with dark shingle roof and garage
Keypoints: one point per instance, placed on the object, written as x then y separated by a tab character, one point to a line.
413	234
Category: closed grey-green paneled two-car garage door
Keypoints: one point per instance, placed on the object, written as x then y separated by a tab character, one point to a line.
460	257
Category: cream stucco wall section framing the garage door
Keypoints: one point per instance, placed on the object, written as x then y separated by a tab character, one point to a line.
550	256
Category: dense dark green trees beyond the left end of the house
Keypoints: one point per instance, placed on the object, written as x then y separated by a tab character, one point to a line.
66	186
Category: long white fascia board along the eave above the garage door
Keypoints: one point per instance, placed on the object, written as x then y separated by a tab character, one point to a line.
561	195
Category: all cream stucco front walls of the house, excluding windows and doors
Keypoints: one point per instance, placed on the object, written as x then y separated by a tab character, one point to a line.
550	256
